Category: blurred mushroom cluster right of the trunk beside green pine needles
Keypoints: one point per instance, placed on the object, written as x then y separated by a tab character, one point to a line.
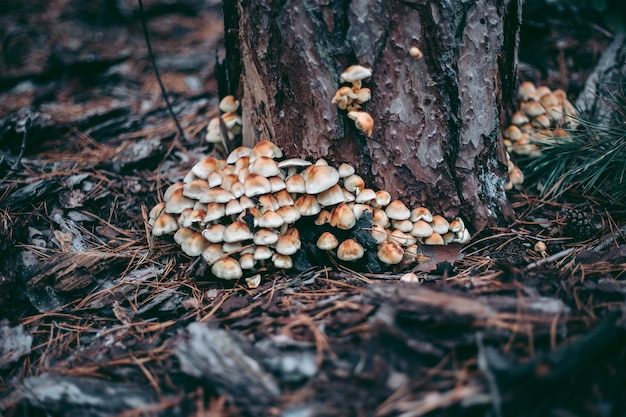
543	116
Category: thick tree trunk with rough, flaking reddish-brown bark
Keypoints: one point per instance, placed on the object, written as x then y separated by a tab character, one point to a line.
436	139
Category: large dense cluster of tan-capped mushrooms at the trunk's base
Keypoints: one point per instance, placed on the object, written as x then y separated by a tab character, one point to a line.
242	214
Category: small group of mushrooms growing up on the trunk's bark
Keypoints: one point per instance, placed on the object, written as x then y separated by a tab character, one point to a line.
351	98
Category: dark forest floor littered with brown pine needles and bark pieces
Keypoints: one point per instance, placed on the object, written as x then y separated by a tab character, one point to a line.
97	318
